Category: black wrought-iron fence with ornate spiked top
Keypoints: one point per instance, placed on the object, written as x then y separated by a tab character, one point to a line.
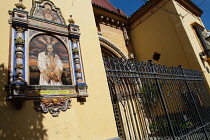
158	102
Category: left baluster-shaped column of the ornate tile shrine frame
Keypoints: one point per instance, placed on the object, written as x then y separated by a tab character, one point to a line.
19	21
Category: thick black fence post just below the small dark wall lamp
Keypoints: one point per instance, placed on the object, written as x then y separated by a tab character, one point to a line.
163	101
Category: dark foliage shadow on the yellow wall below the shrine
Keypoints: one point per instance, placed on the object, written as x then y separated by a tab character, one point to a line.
24	124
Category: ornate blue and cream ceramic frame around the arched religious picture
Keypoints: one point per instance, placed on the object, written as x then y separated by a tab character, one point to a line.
48	98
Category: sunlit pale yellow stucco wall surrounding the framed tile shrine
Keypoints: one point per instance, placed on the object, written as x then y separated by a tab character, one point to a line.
92	121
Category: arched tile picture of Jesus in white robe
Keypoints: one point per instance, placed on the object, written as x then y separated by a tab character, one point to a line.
48	61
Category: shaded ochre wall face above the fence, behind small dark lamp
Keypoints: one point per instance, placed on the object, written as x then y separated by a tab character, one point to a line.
155	32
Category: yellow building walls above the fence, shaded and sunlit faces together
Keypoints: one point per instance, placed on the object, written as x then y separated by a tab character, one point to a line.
167	30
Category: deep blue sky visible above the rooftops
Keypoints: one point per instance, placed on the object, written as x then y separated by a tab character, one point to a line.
130	6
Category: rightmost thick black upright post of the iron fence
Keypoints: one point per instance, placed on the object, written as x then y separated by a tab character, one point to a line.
193	102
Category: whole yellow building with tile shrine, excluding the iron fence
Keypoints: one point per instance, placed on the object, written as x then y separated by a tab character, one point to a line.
75	89
